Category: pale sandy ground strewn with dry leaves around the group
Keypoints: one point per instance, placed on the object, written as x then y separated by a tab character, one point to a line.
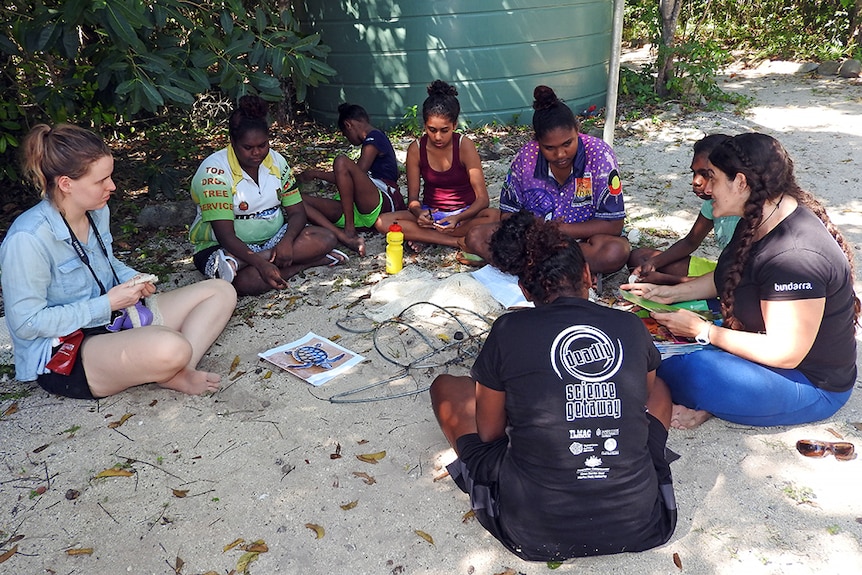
258	460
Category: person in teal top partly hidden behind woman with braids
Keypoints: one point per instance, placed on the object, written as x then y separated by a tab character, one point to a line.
676	264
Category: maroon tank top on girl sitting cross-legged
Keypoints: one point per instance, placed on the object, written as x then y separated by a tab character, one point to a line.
449	190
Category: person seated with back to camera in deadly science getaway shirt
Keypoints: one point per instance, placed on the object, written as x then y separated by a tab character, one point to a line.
560	434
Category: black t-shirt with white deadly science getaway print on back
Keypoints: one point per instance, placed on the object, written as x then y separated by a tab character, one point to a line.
577	478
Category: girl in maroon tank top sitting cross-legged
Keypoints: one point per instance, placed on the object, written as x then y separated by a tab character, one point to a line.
455	198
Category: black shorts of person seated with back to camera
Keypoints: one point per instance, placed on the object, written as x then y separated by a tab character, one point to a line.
477	470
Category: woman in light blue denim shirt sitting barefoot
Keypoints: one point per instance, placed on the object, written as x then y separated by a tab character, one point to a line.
60	275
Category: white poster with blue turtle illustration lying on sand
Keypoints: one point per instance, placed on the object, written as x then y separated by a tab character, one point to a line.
312	358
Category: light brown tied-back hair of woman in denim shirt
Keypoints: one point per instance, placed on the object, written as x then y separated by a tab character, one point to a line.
64	150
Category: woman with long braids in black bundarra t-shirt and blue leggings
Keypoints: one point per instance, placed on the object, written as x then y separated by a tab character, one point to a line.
787	349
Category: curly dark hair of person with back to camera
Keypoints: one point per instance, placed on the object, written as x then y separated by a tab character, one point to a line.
548	262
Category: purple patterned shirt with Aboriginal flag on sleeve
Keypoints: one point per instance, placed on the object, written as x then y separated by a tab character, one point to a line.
593	190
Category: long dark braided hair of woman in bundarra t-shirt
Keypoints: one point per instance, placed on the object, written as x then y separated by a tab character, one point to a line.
768	170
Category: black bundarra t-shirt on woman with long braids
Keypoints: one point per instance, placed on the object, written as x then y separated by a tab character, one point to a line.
797	260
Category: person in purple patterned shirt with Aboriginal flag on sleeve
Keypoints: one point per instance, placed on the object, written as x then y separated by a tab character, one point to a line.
568	177
